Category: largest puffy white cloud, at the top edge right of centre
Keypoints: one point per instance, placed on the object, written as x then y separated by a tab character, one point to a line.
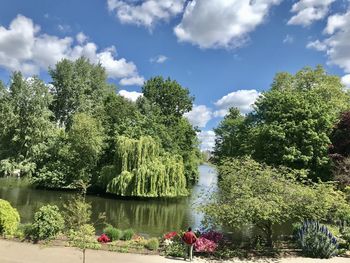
221	23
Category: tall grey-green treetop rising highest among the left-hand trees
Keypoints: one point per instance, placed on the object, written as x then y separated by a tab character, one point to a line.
77	86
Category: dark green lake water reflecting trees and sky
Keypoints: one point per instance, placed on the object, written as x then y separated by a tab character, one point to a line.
152	217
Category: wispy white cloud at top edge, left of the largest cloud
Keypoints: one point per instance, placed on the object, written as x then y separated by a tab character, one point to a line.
145	13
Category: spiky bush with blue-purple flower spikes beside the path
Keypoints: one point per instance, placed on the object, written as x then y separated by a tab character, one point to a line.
317	241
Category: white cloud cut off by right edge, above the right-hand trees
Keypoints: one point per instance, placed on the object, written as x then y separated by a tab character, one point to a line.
336	45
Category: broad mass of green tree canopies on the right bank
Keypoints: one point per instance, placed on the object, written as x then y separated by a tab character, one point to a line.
290	125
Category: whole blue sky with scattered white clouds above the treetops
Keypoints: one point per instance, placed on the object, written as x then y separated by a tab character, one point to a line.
226	52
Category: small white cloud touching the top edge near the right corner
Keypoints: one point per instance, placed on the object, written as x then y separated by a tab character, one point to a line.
309	11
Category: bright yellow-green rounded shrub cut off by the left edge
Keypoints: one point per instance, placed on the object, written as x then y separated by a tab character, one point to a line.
9	218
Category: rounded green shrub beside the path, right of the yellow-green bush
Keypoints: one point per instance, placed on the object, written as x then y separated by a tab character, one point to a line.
48	223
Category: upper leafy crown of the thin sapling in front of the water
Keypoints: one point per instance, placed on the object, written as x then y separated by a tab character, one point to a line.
76	212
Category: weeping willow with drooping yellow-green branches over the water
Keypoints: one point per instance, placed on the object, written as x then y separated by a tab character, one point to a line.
142	170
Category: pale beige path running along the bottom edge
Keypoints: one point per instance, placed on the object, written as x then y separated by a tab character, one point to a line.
17	252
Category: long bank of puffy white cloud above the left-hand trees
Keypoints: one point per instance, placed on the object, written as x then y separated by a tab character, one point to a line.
24	48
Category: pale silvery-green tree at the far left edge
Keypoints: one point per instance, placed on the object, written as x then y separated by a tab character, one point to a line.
25	115
